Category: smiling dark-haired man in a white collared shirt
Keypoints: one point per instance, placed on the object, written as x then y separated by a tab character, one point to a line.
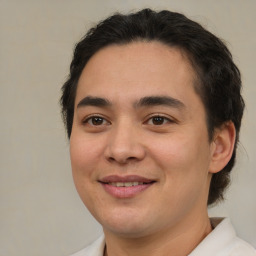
153	110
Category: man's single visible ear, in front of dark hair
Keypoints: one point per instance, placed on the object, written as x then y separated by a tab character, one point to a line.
222	147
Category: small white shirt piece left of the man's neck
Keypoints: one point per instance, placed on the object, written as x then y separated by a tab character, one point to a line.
94	249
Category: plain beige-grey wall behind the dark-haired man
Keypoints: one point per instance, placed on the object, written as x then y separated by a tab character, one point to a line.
40	211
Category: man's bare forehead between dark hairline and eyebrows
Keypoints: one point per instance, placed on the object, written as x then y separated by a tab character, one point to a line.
137	69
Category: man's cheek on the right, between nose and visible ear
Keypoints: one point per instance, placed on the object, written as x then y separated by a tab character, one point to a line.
182	154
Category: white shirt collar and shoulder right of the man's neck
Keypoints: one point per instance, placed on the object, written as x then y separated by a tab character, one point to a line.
223	241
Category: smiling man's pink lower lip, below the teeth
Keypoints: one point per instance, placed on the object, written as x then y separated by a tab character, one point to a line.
125	192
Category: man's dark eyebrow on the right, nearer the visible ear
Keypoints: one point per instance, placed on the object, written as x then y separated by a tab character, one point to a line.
159	100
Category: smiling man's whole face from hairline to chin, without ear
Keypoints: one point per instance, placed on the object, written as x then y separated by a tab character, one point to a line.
139	145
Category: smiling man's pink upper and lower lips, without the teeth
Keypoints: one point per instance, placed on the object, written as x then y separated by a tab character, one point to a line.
125	192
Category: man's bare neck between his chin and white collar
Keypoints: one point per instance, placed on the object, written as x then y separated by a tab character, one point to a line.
179	240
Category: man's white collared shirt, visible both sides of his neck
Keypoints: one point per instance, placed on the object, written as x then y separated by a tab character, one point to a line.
222	241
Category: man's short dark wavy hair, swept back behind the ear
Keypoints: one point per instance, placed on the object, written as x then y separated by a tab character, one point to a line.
217	80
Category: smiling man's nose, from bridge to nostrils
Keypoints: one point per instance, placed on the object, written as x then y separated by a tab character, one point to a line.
125	144
